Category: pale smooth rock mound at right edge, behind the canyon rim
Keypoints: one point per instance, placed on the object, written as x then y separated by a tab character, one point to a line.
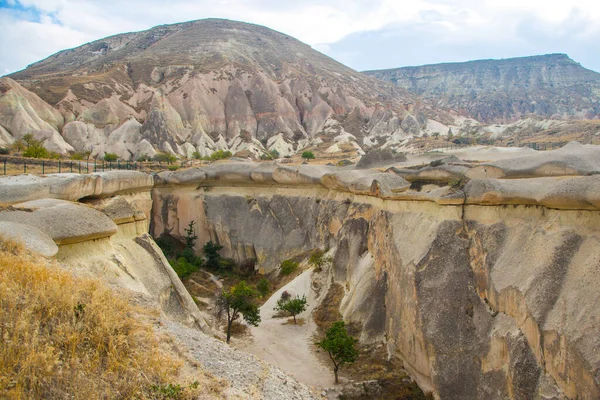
572	159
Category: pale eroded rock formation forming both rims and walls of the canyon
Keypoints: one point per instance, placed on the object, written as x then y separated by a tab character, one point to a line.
482	288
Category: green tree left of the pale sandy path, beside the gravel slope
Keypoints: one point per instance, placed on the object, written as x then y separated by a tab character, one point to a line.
238	302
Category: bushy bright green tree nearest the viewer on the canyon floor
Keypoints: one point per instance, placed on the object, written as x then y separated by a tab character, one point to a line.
340	346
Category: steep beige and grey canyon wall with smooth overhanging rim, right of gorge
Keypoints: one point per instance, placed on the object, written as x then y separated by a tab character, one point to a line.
479	291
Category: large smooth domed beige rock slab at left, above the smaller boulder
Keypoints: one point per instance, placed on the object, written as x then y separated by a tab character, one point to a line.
63	222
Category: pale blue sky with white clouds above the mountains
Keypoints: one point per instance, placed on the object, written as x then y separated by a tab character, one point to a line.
362	34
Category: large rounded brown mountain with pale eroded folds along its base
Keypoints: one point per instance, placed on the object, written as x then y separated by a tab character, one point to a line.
201	86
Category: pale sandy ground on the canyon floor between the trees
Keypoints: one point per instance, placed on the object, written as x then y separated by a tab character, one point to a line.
289	346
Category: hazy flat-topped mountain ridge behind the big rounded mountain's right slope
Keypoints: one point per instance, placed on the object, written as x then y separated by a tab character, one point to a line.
503	91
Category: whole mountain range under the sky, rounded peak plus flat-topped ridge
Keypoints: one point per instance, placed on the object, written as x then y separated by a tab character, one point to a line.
197	87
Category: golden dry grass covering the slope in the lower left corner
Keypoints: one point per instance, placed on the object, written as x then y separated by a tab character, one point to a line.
66	337
